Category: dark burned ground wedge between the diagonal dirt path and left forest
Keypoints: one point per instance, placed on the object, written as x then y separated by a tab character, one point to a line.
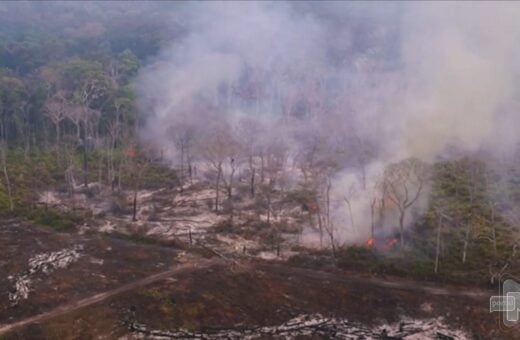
104	263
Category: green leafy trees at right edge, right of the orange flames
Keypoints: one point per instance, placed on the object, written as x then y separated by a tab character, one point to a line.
475	198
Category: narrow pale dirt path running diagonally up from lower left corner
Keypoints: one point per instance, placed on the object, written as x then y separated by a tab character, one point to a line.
75	305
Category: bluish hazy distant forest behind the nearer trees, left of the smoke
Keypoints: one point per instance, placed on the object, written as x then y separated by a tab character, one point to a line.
33	34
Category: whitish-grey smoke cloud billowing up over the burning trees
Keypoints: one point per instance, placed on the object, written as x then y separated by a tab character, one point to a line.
407	79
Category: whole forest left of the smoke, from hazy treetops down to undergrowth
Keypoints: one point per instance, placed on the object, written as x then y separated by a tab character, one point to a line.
67	74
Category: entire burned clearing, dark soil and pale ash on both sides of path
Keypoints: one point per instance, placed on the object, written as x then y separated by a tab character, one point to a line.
237	289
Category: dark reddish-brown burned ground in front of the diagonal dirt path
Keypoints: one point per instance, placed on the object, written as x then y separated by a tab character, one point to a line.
261	294
